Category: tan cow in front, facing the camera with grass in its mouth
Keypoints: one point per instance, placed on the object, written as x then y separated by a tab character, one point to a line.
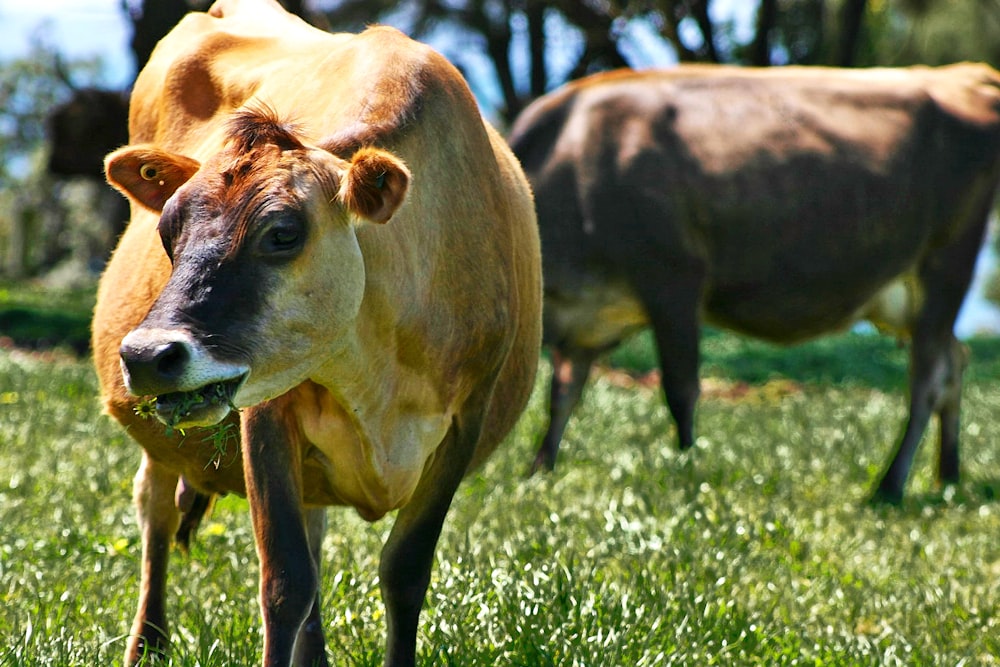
326	237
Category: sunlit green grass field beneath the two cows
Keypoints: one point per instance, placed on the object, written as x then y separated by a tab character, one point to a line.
755	548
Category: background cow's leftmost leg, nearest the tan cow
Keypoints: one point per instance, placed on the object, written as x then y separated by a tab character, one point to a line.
570	370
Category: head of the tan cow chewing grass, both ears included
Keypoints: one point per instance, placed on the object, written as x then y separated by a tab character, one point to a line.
267	270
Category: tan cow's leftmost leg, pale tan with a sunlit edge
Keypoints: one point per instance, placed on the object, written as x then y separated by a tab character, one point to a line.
153	490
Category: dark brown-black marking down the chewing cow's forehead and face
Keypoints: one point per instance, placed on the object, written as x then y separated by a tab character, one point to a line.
227	231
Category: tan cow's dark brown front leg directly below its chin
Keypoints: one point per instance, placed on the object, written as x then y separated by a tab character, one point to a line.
288	578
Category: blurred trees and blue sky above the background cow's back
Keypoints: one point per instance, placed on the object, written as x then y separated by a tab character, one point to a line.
526	47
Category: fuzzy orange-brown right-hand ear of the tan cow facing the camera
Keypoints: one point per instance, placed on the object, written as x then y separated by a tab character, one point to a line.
374	184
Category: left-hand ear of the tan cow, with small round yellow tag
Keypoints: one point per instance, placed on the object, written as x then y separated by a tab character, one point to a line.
148	175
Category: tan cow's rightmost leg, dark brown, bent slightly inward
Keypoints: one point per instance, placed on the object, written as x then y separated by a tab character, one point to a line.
408	554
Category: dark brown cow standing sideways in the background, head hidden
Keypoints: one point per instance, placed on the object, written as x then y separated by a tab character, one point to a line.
779	203
